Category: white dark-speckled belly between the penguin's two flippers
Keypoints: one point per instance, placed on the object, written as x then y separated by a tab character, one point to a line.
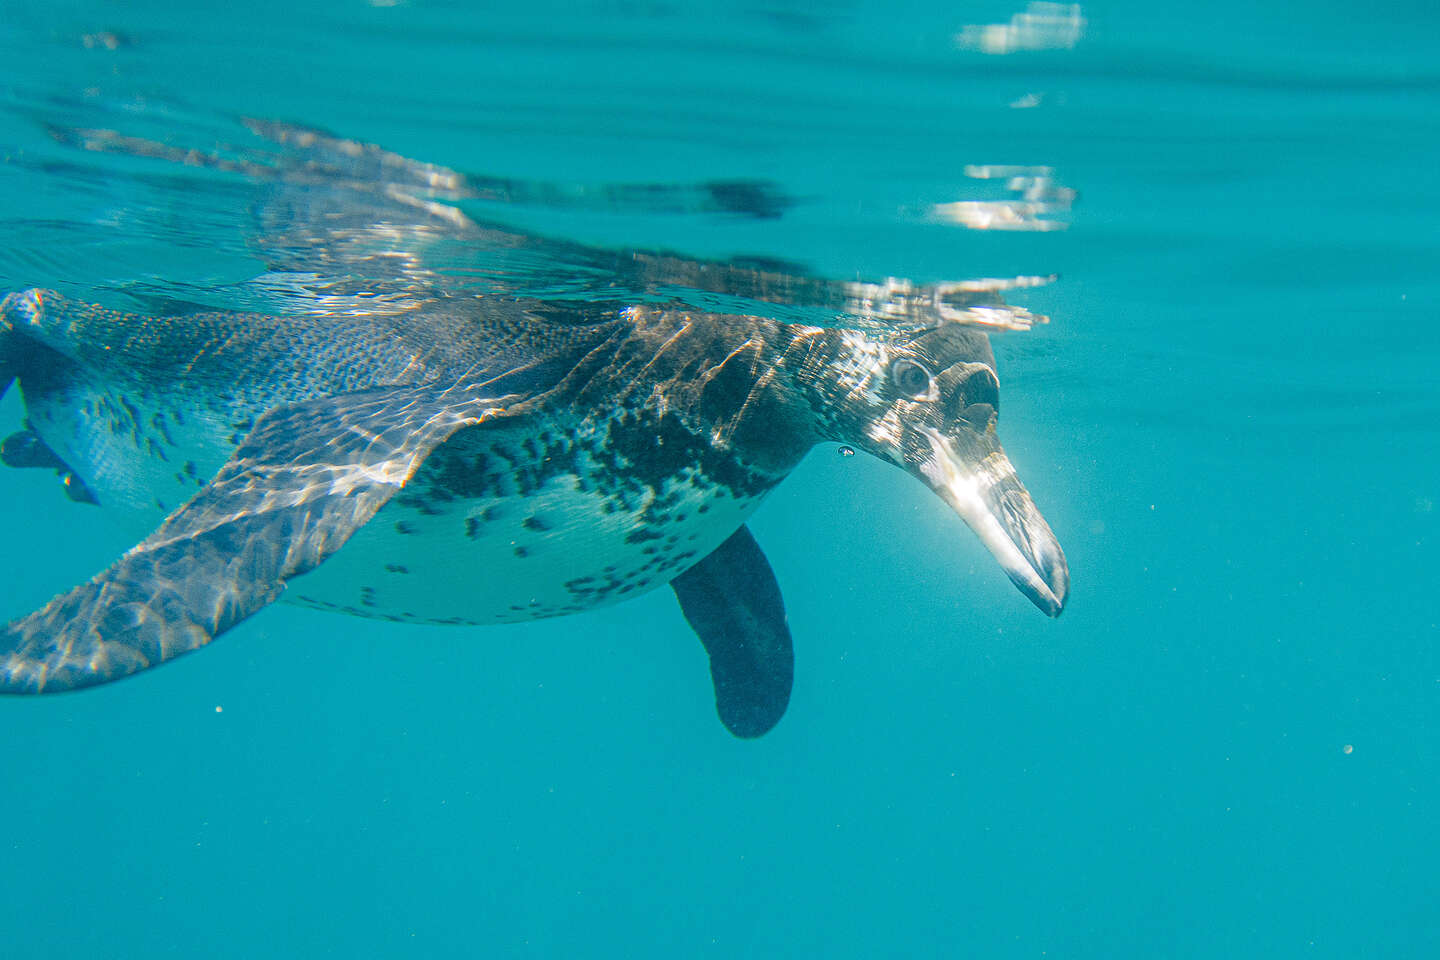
558	549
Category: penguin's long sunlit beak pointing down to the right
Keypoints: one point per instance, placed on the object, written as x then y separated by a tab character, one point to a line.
983	489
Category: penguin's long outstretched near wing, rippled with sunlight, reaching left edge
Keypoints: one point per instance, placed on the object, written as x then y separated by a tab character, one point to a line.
302	484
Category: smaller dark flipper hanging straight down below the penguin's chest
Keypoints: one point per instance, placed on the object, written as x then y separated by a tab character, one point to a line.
735	607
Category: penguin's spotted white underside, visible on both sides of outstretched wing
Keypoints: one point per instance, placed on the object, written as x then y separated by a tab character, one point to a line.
506	525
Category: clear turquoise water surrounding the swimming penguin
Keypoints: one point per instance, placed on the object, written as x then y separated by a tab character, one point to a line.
1225	748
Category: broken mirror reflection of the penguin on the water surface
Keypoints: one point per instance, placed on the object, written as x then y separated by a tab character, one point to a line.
351	228
